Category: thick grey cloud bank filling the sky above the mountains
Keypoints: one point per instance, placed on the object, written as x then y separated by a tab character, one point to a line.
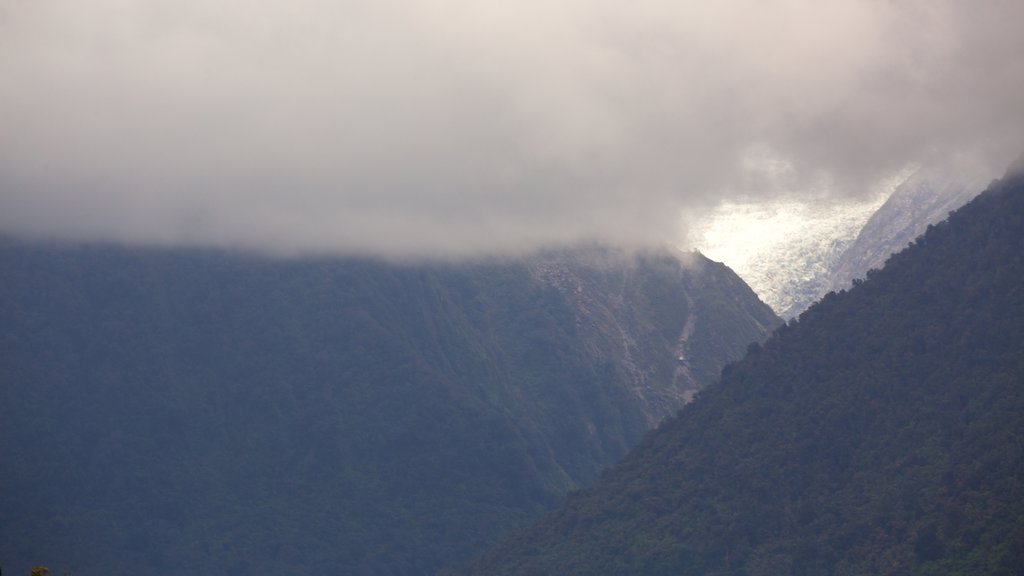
464	128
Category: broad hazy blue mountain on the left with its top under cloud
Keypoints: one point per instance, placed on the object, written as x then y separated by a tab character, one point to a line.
189	412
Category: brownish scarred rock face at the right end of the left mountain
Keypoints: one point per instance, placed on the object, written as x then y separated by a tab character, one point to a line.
665	322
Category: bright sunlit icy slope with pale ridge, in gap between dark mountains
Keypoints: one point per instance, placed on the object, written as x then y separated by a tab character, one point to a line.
795	253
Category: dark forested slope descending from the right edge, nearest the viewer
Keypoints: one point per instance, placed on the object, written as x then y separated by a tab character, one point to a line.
883	433
